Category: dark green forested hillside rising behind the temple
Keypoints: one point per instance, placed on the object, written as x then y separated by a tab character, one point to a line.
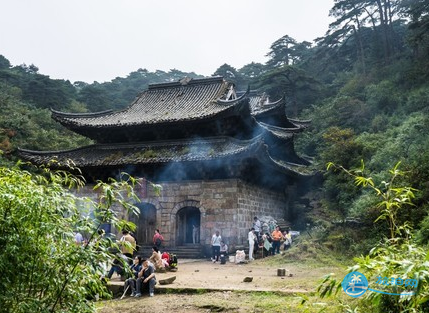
364	85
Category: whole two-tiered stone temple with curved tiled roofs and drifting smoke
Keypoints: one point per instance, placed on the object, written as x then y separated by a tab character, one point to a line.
221	157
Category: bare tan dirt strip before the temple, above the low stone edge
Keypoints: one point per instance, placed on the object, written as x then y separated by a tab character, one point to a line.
202	274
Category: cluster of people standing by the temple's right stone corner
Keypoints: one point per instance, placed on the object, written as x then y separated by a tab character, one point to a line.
271	243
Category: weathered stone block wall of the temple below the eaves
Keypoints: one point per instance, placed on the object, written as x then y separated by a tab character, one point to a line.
225	205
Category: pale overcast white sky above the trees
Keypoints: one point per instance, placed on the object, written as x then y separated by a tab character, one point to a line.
99	40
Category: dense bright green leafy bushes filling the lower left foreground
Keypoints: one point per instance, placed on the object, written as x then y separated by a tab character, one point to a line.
42	269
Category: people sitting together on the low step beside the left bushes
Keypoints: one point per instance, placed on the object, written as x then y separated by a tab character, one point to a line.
139	272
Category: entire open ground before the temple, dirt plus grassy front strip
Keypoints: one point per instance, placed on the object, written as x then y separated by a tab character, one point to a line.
203	286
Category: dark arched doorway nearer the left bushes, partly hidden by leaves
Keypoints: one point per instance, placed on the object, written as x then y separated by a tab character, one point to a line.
146	223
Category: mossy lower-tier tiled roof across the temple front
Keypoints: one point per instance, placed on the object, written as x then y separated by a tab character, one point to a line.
147	153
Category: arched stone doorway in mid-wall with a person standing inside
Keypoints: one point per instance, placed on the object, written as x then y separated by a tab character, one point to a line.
186	219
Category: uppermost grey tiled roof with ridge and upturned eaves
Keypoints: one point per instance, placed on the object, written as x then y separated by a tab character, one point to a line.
186	100
